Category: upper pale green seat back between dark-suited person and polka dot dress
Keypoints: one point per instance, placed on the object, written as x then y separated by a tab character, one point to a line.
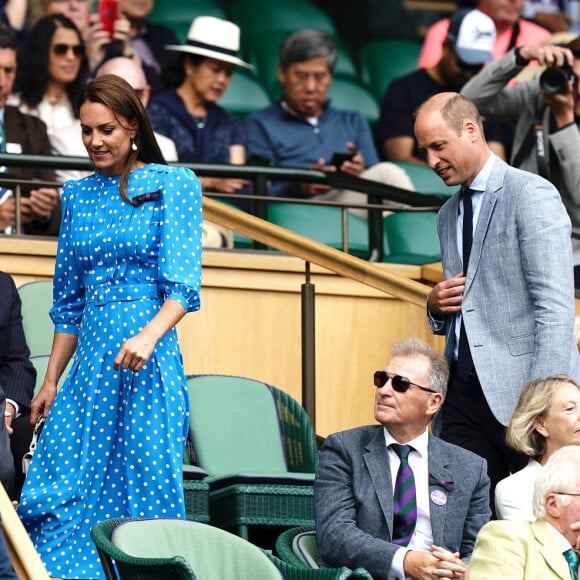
36	298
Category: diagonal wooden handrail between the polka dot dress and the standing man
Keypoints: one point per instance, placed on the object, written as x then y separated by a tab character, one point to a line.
311	251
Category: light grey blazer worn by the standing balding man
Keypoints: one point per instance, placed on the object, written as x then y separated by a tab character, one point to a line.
518	303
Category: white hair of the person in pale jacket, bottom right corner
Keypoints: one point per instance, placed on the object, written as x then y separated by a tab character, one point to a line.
558	475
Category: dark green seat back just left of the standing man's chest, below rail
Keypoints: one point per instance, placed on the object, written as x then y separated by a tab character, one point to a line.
412	238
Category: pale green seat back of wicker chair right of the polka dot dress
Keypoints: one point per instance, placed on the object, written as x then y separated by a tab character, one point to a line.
234	426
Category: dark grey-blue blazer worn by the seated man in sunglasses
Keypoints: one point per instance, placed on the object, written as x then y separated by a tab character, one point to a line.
353	499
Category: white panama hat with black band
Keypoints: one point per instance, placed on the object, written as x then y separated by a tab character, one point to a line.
214	38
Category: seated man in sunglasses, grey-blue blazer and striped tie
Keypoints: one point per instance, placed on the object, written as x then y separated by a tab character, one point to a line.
392	498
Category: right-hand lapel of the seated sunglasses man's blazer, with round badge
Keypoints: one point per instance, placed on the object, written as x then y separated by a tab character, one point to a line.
440	471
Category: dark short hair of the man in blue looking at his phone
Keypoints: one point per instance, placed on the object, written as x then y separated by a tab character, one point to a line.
307	44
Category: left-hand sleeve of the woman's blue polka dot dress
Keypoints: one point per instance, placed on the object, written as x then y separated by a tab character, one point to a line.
69	291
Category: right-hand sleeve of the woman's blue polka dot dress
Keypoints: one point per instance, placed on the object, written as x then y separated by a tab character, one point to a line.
180	238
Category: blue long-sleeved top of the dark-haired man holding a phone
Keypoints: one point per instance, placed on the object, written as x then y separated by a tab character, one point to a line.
289	140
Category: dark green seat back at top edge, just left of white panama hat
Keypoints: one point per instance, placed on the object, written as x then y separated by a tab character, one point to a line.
179	14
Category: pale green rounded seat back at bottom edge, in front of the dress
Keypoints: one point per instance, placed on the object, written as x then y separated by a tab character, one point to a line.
210	551
